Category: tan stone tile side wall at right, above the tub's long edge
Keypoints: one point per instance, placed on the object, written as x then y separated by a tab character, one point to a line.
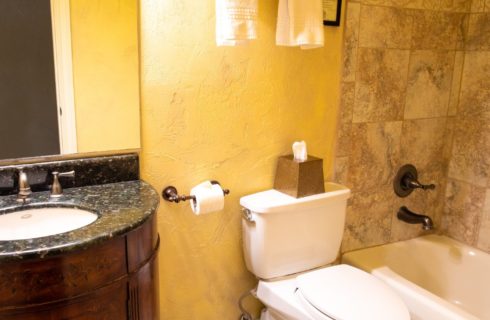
467	205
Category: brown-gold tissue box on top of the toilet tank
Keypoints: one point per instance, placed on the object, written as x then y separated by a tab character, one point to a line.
299	179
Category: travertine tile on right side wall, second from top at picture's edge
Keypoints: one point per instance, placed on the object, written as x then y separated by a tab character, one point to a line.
474	99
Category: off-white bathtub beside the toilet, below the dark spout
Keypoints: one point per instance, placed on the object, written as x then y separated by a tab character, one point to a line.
437	277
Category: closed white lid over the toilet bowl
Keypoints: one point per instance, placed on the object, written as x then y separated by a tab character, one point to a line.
344	292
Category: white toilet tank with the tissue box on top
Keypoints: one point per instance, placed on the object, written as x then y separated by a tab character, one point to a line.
283	235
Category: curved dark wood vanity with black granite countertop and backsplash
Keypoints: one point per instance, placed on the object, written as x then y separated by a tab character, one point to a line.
107	269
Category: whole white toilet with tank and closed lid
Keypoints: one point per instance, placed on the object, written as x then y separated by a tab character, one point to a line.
288	244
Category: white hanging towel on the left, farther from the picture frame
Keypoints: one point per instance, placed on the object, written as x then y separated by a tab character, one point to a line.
236	21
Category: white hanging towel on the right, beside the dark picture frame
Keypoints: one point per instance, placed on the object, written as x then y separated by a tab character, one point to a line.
300	23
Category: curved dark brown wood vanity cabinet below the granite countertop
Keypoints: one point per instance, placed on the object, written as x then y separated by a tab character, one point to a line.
116	279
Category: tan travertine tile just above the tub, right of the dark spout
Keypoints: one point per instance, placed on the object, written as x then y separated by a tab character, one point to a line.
464	207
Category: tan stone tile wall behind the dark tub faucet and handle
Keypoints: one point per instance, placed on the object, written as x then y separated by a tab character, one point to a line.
403	61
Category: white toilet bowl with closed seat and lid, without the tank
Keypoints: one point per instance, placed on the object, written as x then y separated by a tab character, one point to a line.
332	293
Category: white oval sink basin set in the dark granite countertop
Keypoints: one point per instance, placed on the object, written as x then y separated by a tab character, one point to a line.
42	222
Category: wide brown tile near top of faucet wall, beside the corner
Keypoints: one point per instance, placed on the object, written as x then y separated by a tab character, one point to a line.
438	30
